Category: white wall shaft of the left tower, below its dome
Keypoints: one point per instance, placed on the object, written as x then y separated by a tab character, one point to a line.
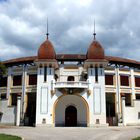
44	97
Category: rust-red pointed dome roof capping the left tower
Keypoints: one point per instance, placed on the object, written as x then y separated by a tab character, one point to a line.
46	51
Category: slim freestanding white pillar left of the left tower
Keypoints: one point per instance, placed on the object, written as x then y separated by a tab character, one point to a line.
18	110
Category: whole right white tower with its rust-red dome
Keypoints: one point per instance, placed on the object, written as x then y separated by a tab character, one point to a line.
95	64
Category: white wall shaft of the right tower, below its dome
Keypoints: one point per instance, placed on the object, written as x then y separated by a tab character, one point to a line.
97	102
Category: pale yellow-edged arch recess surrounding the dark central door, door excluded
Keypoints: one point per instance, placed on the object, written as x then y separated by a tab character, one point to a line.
65	101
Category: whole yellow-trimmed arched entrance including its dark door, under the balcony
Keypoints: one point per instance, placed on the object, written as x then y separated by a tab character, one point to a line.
71	110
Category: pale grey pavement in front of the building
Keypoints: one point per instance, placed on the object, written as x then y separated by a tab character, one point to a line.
73	133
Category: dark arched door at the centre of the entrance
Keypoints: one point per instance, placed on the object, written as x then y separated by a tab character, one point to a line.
71	116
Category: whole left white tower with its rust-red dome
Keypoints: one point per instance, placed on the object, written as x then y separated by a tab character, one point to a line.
46	62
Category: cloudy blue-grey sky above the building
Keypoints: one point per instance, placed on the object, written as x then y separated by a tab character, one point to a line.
23	25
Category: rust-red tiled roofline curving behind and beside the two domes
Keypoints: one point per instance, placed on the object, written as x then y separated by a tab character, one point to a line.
74	57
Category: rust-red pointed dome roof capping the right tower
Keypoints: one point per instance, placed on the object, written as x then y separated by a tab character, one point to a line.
95	51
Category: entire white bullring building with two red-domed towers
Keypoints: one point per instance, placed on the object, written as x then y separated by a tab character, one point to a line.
52	89
